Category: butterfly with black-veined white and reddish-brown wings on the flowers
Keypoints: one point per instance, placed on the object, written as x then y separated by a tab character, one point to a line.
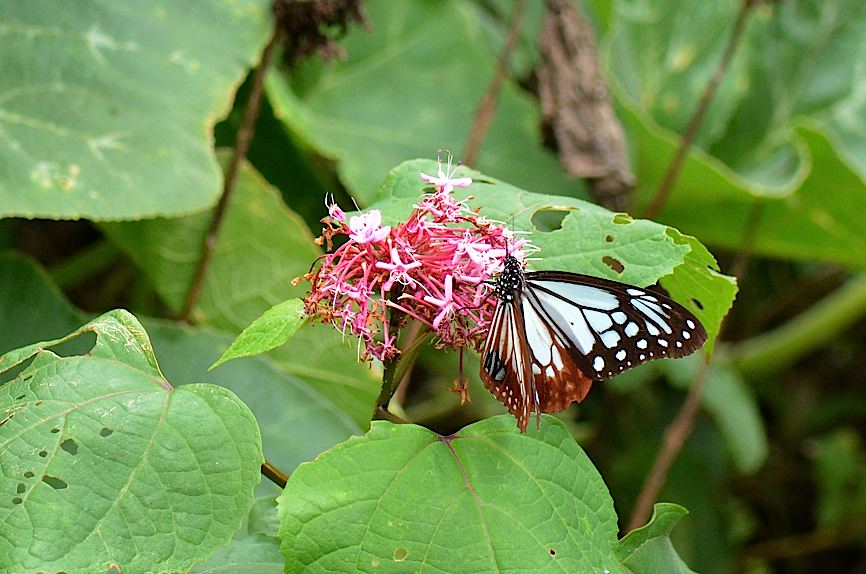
554	333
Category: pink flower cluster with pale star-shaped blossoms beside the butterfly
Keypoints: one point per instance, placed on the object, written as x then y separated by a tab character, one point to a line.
434	267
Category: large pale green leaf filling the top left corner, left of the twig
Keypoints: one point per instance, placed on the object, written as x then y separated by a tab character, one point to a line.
124	131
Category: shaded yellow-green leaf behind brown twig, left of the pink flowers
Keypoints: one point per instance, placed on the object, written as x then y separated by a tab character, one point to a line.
262	246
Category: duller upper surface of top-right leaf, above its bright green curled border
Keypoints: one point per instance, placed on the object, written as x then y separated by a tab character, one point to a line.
795	60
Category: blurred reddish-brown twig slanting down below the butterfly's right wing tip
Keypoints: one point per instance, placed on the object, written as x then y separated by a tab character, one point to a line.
674	439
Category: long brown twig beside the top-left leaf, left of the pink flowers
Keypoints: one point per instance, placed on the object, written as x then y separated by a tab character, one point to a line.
242	144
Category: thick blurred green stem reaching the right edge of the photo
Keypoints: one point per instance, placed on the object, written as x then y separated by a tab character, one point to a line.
781	346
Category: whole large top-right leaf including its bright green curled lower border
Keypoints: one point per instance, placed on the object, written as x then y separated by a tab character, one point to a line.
782	137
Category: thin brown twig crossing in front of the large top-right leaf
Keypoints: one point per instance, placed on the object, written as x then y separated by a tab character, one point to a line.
664	189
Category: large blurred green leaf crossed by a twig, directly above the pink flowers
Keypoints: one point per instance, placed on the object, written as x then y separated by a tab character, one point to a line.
420	103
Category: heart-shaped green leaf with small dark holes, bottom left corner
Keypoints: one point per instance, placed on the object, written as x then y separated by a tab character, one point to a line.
106	463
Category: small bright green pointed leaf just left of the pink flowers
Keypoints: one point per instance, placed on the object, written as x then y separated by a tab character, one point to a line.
276	326
